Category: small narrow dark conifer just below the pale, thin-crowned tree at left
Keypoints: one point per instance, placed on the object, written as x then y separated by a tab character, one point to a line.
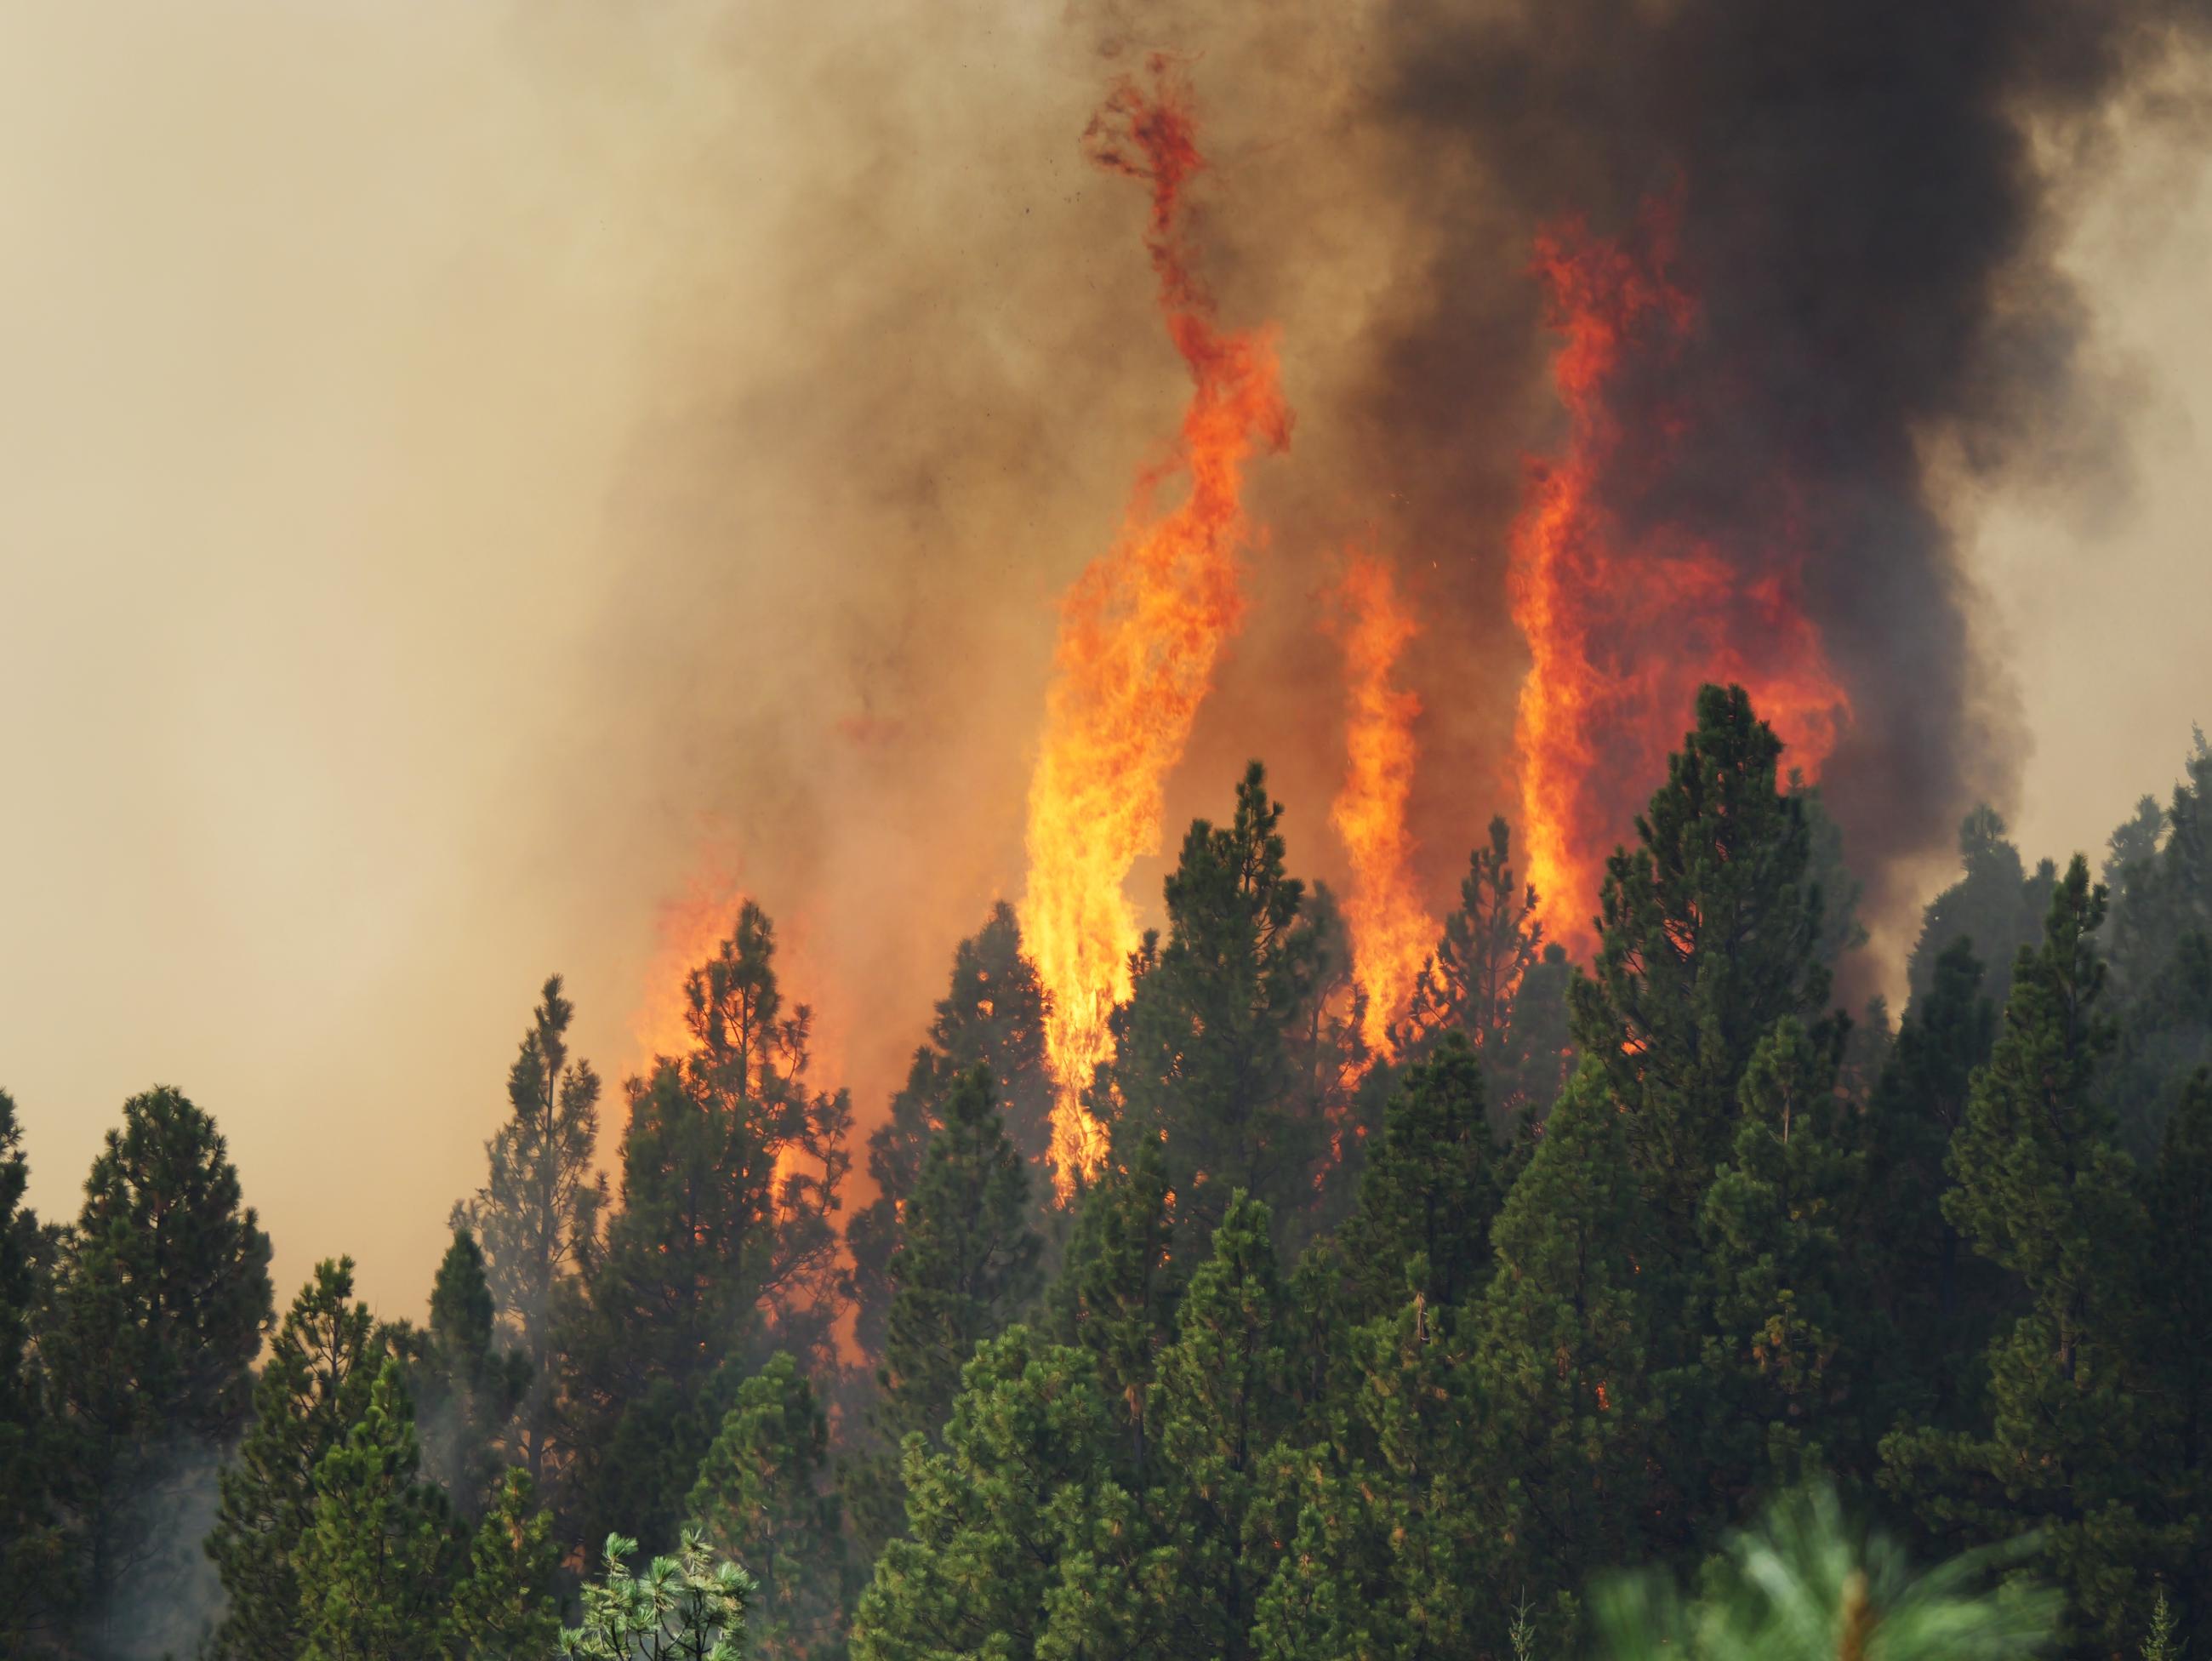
466	1388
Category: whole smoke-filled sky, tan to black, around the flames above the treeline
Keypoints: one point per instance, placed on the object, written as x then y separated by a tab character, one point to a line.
477	474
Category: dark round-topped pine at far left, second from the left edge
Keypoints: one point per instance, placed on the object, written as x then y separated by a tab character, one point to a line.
163	1306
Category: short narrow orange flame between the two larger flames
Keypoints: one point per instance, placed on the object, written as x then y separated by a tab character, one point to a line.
1390	930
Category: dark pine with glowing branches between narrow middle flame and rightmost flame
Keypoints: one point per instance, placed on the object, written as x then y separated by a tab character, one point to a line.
1490	983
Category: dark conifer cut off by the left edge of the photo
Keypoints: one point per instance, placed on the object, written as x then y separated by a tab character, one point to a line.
30	1532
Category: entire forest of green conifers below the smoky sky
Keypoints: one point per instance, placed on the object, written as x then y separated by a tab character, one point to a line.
1634	1306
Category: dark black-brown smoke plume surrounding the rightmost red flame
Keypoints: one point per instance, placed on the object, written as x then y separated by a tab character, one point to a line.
1868	220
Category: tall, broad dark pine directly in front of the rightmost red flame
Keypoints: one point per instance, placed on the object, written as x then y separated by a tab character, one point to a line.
1709	937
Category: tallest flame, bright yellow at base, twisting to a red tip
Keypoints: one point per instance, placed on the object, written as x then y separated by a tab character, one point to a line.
1140	631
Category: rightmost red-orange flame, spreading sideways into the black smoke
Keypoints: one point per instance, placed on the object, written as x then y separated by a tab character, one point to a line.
1623	625
